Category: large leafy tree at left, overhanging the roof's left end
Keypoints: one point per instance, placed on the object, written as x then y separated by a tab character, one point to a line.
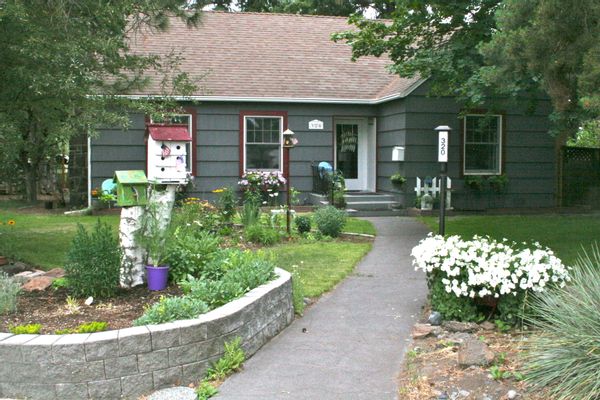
63	65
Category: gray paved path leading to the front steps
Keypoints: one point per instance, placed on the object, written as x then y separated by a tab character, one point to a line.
355	336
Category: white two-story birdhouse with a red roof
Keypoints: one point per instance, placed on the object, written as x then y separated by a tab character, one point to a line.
167	153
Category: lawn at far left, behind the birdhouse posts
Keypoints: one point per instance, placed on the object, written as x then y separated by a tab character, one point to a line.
42	239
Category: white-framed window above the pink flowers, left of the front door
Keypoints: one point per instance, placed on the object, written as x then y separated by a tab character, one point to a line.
262	143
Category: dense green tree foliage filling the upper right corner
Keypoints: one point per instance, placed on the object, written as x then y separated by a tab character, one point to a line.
553	45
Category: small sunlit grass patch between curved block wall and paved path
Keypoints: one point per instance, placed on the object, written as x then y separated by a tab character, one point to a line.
321	265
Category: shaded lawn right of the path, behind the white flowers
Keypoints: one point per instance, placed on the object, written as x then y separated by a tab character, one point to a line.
565	234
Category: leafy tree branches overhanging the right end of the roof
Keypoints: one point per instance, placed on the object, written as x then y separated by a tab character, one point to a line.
437	39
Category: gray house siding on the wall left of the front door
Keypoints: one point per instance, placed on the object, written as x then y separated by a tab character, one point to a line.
217	143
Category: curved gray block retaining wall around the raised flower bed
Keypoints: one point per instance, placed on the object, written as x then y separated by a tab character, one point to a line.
127	363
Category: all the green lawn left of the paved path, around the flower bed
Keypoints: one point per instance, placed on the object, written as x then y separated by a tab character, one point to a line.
44	239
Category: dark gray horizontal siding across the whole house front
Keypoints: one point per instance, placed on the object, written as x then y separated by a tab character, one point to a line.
530	160
